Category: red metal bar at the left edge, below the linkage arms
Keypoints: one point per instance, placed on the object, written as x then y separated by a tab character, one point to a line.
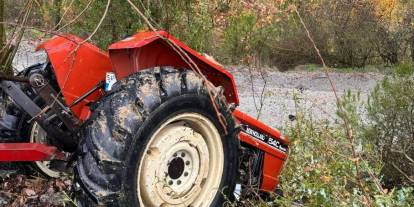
14	152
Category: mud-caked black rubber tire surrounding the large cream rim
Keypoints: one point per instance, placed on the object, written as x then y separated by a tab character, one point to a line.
122	123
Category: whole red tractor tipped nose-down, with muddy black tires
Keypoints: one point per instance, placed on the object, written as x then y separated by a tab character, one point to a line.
148	123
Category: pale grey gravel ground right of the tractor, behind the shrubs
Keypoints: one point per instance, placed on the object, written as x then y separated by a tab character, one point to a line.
312	88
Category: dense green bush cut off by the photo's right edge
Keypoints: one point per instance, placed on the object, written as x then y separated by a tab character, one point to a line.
391	109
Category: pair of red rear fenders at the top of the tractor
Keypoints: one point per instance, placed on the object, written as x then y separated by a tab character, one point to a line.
79	67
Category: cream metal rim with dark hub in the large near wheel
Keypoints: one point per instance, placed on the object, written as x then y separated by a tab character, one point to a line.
182	163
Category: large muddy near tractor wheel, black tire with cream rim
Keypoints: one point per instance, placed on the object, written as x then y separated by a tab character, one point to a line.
157	141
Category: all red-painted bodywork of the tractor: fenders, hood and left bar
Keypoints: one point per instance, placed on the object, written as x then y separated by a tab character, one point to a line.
80	66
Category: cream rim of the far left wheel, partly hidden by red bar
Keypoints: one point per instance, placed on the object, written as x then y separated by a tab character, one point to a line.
38	135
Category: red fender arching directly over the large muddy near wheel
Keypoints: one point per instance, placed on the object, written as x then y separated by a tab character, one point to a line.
150	49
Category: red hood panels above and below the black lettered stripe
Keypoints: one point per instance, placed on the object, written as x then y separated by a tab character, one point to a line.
273	158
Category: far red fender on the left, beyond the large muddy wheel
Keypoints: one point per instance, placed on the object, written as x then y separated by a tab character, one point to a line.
78	67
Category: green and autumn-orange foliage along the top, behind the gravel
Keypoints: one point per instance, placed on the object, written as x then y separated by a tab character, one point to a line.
349	33
